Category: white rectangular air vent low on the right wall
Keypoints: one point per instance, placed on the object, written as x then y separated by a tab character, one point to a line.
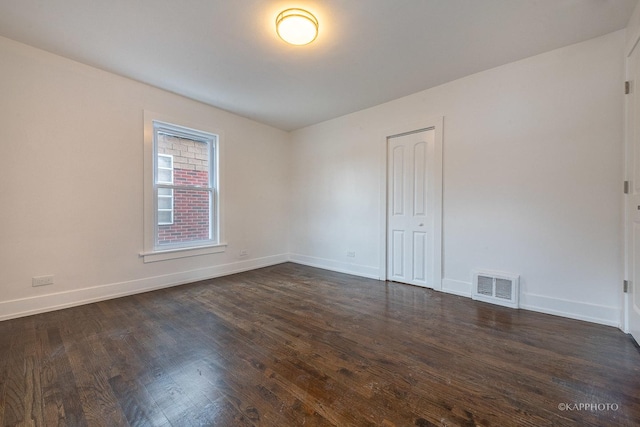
496	288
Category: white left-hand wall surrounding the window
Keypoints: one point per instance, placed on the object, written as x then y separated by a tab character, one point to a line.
72	184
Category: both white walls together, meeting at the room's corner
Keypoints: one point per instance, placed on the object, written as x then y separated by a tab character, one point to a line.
532	178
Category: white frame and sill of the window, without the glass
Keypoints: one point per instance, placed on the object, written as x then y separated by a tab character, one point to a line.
154	123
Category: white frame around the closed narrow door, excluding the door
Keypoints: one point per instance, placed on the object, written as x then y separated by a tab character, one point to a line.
437	124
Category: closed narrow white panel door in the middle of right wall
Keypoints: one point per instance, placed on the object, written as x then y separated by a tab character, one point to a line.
410	216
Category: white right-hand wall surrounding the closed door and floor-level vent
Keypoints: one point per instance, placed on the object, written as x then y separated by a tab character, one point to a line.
533	161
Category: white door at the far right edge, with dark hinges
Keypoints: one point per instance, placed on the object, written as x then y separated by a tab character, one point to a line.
632	299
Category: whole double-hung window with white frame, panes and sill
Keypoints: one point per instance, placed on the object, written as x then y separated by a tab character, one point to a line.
182	215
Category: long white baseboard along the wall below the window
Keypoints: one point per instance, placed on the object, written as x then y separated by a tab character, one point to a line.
56	301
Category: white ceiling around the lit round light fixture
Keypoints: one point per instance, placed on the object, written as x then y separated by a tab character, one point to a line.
226	53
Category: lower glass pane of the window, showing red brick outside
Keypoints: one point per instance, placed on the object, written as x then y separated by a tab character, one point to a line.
191	213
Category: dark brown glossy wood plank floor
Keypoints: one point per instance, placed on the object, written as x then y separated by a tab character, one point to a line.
291	345
